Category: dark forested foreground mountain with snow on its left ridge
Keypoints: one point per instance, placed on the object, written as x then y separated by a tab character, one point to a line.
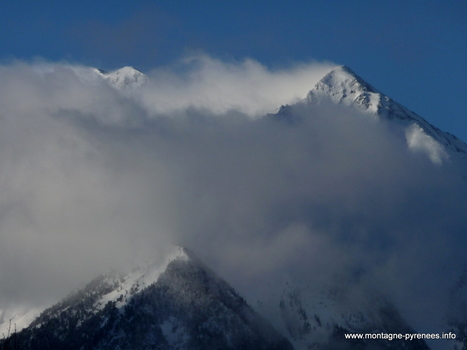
179	304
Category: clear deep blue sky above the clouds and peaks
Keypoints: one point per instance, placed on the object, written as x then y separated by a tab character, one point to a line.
413	51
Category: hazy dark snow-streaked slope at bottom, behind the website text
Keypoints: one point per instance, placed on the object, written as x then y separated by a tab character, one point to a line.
320	317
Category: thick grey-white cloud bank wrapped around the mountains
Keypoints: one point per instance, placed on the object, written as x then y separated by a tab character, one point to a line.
93	177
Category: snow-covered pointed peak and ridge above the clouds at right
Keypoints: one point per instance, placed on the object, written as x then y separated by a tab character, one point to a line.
343	86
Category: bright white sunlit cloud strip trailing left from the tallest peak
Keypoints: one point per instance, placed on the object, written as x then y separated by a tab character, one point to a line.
206	83
